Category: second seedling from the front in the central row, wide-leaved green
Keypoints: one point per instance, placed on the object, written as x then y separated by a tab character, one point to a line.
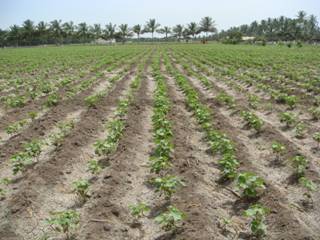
167	185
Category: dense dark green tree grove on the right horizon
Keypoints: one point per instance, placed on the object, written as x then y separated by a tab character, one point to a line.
301	28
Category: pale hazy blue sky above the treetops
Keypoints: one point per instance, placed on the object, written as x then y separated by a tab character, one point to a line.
226	13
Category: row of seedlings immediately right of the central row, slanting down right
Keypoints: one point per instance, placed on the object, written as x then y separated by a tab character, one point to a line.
248	183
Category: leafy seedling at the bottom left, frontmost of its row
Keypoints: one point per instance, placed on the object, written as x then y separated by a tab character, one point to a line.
64	222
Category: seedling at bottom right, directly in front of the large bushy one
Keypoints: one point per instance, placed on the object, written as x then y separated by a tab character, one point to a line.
257	213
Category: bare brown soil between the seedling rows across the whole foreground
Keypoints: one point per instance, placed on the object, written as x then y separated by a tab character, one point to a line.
206	200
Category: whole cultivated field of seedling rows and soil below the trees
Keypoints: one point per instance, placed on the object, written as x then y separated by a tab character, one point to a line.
160	141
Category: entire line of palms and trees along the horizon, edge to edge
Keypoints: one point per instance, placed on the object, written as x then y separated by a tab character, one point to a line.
300	28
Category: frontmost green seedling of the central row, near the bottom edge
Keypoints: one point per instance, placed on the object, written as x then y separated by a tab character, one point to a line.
170	219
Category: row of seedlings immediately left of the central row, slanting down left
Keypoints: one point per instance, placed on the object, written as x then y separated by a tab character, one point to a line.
68	220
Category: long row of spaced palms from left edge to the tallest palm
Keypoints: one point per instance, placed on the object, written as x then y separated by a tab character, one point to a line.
56	32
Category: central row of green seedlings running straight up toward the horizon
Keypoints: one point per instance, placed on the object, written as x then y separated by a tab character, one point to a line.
160	161
